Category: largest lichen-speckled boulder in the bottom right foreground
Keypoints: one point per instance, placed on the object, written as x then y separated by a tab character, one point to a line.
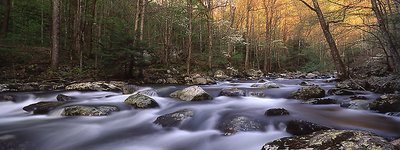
332	139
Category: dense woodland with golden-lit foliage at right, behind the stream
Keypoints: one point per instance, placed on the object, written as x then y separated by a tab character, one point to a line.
122	39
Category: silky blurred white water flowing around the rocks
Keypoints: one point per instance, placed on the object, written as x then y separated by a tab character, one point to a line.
133	129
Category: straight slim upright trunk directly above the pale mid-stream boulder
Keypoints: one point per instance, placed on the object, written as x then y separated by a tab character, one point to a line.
190	16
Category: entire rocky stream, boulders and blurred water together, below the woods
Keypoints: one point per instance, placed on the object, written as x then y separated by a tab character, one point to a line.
271	113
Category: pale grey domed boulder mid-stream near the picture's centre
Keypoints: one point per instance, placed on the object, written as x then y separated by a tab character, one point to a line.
193	93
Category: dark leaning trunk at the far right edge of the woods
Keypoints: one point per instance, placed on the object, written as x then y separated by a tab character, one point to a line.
384	27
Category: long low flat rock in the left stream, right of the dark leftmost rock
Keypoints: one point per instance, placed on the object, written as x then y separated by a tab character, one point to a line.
89	110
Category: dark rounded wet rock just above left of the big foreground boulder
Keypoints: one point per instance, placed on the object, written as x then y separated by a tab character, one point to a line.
236	124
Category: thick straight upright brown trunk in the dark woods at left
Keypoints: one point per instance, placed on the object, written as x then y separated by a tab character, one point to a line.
55	34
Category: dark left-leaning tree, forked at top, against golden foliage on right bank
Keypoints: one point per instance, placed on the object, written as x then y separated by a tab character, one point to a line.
339	65
